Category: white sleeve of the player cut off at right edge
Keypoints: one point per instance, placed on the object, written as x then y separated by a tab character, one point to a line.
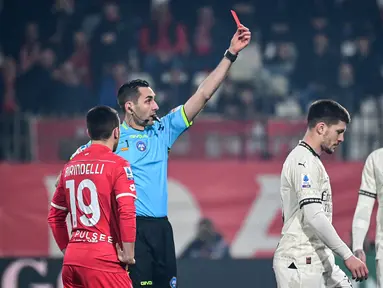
365	205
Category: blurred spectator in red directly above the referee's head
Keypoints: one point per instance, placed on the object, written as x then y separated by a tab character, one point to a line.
163	42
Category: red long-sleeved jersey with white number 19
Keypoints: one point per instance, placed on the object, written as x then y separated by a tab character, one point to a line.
98	190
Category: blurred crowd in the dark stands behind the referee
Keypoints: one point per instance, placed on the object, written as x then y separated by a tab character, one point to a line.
64	58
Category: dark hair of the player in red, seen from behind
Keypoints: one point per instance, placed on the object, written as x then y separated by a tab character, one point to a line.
101	121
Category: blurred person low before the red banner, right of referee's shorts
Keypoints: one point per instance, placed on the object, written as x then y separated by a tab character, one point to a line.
208	243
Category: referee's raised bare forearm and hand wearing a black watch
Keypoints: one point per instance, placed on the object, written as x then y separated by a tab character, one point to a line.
207	88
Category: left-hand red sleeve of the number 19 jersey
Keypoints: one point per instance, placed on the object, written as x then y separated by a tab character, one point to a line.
57	217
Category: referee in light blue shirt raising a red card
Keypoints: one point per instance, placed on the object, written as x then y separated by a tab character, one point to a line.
145	141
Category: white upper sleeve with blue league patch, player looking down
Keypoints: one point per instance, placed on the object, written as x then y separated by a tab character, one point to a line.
306	178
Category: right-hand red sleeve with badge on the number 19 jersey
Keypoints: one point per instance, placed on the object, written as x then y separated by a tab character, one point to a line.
125	193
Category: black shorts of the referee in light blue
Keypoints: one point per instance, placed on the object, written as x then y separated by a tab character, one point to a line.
155	254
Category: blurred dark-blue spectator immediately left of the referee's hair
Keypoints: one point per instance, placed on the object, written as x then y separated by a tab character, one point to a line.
111	82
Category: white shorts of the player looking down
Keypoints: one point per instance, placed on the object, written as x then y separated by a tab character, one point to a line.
309	276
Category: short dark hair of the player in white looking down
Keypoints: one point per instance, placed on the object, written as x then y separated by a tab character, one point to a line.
328	111
